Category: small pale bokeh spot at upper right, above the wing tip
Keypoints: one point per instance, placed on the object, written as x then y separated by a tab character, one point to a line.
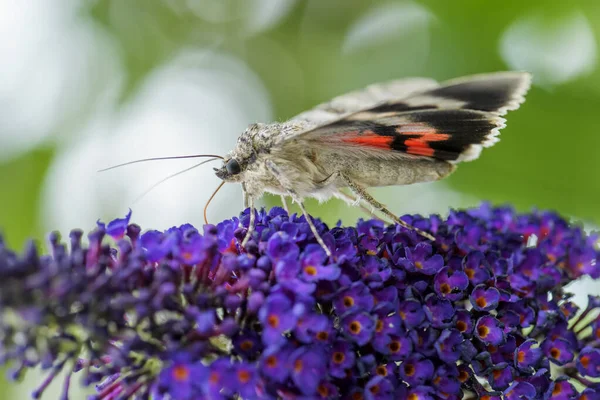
555	50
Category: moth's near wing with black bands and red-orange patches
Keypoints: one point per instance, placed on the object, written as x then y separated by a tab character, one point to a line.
452	122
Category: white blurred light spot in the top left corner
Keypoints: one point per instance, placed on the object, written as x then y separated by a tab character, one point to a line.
54	70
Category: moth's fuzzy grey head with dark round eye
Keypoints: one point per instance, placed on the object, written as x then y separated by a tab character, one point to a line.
240	158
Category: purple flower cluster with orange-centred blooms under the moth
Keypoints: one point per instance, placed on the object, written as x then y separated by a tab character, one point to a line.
481	313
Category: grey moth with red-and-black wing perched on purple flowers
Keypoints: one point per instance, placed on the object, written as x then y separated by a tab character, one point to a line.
394	133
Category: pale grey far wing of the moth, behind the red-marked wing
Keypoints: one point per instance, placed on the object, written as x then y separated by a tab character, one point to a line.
364	98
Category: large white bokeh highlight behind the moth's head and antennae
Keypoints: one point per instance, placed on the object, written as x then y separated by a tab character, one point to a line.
189	106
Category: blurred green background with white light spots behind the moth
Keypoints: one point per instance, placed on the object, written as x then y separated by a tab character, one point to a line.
88	84
